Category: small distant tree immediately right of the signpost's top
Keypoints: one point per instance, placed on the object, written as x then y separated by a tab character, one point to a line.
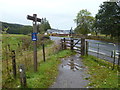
44	26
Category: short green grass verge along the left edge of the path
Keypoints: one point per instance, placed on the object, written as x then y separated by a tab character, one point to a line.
47	71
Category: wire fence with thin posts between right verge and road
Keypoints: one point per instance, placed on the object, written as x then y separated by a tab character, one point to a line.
108	52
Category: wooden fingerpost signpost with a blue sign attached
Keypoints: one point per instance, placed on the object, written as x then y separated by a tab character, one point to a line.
34	37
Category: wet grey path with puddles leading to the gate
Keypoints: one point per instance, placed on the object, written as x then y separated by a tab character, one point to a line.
72	74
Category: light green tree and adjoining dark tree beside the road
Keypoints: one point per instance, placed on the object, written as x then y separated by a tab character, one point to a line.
106	21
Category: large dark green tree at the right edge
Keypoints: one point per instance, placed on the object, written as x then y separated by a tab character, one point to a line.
108	19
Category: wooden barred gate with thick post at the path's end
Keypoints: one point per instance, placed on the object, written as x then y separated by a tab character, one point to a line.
78	45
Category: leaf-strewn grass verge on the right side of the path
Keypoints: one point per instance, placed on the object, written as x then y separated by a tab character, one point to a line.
102	75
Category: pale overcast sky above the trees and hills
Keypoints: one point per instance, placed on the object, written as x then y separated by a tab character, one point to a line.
59	13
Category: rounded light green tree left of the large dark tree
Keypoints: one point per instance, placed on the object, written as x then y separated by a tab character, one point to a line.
84	22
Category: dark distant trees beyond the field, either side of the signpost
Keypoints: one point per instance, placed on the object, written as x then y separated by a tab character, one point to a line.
25	29
